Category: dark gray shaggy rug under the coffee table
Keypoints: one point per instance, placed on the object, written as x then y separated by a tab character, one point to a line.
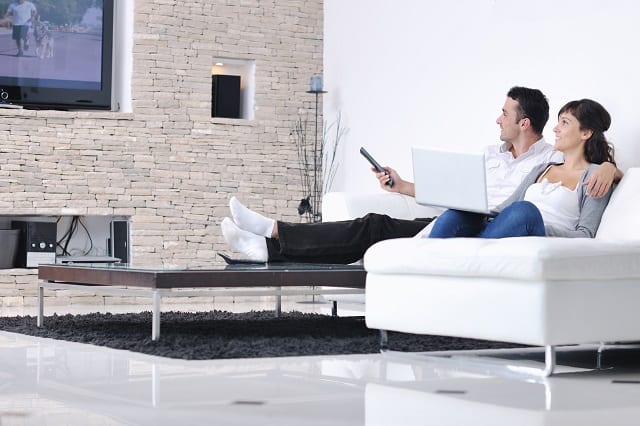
220	334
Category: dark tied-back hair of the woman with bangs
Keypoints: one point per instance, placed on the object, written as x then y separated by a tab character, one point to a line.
592	116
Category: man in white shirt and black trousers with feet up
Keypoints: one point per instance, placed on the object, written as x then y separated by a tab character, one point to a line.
524	115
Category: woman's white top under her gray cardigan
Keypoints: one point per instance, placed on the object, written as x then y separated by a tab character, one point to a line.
558	204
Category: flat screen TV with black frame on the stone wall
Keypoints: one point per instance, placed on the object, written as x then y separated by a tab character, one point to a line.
62	56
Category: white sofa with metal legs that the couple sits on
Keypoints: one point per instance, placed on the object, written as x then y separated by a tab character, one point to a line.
532	290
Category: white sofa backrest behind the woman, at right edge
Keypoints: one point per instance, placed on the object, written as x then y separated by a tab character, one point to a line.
620	219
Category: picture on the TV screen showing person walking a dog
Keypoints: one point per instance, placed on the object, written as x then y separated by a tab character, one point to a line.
51	43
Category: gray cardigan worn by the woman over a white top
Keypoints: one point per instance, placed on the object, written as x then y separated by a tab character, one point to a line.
591	209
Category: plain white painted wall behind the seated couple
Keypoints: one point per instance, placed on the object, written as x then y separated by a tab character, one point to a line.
436	72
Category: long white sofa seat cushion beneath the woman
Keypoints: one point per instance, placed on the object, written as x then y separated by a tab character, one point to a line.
524	258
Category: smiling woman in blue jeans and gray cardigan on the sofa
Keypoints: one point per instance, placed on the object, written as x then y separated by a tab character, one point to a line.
552	200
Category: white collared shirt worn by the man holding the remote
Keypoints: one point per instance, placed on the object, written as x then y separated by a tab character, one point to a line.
505	173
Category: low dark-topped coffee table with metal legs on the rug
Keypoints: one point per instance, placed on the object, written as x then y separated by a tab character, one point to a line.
276	279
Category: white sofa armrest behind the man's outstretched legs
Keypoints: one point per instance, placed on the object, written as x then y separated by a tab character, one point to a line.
348	205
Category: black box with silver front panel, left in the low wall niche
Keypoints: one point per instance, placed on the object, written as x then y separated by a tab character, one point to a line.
36	243
